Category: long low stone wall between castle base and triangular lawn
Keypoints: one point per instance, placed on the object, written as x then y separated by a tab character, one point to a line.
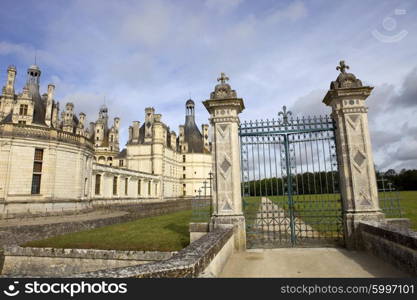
19	234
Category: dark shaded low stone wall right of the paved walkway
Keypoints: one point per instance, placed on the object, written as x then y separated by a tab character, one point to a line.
394	245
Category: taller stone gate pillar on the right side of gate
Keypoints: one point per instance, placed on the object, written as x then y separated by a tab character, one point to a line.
358	184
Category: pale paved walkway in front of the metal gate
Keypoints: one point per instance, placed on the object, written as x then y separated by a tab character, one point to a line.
307	262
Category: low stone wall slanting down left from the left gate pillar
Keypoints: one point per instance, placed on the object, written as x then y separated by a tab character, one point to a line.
189	262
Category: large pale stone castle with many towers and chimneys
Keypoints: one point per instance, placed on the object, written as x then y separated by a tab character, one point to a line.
54	163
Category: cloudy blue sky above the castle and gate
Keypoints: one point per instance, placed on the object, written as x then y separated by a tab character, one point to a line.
135	54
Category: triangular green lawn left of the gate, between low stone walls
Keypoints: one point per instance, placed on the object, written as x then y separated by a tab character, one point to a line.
162	233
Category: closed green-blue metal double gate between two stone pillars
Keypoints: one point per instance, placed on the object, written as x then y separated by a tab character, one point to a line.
290	182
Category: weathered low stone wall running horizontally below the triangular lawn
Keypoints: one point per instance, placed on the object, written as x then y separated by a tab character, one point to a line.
65	262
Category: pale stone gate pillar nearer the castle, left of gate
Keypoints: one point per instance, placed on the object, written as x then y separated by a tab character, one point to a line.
224	108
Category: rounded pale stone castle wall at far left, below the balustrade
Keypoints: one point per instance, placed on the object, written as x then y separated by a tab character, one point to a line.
66	170
